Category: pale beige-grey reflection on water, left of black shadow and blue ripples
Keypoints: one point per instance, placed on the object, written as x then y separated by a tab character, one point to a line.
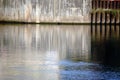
34	52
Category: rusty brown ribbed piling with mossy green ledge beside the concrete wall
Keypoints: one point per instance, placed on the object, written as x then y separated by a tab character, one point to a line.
110	9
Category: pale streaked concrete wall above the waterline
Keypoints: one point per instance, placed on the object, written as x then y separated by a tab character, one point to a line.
45	10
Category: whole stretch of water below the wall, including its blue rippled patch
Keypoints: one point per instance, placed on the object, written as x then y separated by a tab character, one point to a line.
57	52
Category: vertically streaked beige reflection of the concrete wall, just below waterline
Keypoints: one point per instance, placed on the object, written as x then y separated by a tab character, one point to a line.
68	41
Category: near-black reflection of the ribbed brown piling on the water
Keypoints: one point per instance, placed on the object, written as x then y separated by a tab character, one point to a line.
105	46
